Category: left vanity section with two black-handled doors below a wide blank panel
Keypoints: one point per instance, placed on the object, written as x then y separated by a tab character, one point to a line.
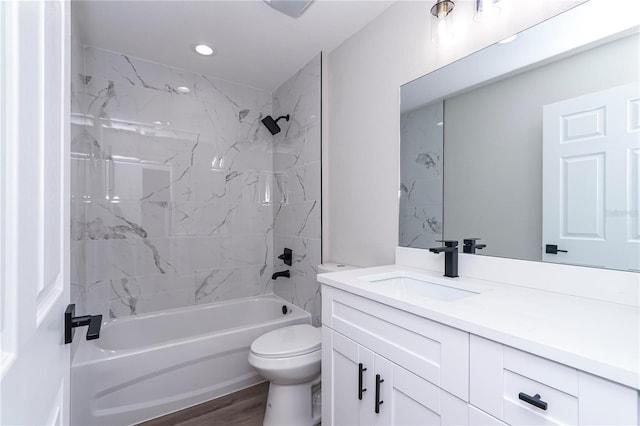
384	366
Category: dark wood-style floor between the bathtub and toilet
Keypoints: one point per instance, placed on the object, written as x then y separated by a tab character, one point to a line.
242	408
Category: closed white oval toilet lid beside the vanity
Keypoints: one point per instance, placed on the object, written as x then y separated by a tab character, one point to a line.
288	341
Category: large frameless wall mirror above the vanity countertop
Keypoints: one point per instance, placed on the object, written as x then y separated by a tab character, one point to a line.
532	146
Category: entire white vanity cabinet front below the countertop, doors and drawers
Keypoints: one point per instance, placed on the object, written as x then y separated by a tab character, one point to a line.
430	373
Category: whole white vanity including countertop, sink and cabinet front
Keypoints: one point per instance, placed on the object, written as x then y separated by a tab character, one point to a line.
404	345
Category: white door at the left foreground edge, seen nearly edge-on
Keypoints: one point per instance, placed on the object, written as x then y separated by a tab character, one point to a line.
34	212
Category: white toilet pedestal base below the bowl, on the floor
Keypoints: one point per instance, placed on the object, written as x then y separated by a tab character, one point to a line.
291	405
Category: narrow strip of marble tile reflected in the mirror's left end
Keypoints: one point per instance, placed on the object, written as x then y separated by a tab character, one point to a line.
421	190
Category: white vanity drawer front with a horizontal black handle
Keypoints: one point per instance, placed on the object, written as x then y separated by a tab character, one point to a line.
499	374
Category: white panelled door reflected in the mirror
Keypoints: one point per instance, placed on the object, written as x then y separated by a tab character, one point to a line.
591	179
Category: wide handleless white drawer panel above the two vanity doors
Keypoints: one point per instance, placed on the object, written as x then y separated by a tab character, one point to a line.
433	351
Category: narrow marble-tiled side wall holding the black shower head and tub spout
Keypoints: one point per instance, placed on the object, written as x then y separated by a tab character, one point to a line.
296	165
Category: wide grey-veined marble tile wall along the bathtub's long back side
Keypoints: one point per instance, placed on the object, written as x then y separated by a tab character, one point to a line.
171	191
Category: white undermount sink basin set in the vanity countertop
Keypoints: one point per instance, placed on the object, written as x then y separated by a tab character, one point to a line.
405	284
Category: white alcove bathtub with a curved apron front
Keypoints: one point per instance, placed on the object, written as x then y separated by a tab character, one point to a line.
149	365
